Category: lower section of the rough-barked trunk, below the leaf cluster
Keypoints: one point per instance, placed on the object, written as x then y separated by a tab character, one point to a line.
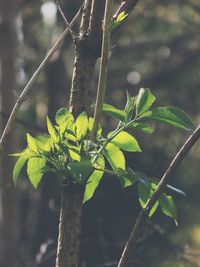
69	226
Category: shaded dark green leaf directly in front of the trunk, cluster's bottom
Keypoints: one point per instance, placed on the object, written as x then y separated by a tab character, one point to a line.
80	171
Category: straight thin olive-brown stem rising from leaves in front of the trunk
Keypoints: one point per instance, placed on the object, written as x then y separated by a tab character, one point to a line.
103	67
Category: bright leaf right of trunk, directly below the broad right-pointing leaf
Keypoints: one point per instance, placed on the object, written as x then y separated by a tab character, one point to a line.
115	157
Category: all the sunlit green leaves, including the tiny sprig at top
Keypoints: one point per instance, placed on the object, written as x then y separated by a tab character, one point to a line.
68	151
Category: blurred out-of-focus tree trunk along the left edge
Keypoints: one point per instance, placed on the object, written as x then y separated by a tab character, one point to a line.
8	45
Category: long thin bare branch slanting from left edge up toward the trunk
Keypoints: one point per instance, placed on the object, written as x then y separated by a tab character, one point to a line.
29	85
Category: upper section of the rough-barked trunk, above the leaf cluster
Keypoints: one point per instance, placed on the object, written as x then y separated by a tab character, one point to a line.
87	51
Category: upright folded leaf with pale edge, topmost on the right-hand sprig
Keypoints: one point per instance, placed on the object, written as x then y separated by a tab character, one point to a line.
144	101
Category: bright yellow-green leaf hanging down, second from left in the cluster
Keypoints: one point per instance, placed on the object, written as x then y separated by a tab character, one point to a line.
35	170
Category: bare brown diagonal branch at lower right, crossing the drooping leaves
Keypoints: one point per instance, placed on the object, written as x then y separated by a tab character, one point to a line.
132	242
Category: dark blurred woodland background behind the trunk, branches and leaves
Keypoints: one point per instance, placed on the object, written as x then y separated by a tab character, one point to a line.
157	47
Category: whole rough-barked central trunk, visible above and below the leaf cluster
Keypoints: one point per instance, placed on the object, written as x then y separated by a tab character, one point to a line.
86	53
